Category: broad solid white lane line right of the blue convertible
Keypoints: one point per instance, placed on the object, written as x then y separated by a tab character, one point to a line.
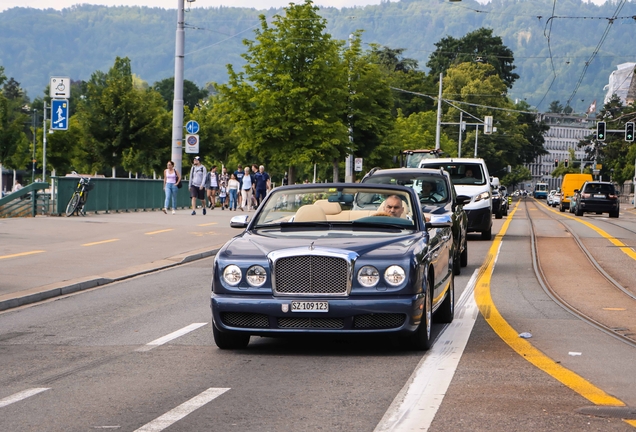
414	408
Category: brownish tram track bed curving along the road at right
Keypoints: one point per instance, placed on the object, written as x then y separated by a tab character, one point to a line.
584	307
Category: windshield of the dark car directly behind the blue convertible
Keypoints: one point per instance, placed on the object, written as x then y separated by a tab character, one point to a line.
432	190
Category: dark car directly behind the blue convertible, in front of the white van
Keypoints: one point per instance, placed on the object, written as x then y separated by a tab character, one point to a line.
441	198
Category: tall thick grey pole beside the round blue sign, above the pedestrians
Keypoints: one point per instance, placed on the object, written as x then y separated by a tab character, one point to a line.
177	103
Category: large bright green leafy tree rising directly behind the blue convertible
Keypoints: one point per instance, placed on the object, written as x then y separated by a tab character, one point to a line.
288	103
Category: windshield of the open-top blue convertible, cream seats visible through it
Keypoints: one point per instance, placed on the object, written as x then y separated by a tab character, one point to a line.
331	206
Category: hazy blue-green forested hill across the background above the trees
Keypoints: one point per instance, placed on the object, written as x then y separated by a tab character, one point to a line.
75	42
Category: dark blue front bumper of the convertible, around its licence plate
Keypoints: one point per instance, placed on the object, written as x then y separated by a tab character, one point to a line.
263	315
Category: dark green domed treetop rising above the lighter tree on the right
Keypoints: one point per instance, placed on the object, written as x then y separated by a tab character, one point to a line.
477	46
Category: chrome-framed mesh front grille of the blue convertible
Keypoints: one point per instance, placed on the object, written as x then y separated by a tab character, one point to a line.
311	275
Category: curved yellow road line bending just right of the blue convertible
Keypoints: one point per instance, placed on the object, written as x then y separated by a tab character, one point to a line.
524	348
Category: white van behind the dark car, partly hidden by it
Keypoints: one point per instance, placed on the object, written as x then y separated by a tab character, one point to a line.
470	177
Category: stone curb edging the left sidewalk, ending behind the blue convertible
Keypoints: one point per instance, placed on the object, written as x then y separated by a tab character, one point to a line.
57	289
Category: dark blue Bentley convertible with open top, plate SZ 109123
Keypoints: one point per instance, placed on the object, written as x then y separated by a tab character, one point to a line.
335	258
